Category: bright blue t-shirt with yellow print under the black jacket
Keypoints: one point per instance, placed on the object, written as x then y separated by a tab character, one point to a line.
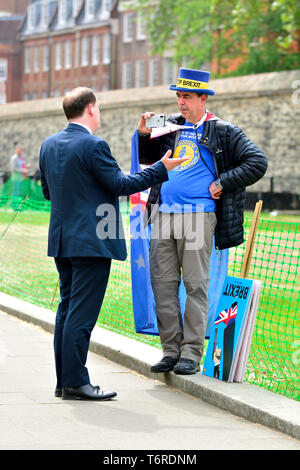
187	187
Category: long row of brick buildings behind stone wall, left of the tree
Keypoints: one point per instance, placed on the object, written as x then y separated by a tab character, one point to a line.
96	43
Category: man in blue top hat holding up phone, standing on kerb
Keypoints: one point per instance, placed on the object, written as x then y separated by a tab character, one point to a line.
202	201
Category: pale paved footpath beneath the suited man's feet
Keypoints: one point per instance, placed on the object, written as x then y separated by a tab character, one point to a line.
147	414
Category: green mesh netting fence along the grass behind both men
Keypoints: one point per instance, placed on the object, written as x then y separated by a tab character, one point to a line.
26	272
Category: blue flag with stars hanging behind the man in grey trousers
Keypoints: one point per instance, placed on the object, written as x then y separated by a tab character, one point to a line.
142	295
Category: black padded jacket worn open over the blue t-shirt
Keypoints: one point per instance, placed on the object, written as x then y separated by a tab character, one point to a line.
238	163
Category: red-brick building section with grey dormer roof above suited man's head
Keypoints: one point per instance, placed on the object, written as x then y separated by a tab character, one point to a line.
65	43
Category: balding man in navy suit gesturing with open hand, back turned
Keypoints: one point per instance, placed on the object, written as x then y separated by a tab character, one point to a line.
83	181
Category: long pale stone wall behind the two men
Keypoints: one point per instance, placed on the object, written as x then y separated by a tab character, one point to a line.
265	106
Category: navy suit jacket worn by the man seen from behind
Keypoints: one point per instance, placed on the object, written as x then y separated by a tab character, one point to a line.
83	182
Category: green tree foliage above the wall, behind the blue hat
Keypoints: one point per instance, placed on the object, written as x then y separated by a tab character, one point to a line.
256	36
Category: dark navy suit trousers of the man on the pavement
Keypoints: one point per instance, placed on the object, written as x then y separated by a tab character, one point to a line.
83	282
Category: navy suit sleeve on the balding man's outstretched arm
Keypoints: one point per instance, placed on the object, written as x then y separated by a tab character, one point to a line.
107	171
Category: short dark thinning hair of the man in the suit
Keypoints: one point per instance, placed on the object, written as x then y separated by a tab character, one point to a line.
77	100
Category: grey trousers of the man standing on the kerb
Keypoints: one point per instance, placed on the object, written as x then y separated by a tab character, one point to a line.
180	246
